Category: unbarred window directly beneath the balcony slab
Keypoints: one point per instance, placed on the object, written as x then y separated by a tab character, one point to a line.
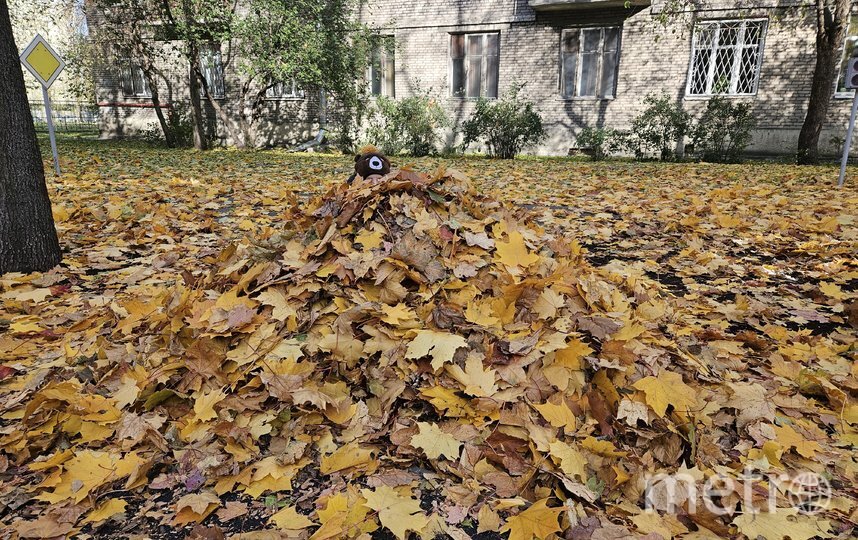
589	58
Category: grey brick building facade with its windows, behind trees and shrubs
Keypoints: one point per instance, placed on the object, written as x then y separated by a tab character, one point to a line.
584	63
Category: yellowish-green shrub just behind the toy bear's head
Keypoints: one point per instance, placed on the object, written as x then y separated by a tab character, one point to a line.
409	125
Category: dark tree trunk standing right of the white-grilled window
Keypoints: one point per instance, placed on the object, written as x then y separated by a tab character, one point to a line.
830	33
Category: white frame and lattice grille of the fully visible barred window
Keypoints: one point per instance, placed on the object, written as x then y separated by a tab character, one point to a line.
738	47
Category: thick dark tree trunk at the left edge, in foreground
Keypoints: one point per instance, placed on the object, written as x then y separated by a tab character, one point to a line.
28	239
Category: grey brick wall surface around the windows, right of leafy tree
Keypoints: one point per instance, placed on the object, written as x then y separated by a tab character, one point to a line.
652	59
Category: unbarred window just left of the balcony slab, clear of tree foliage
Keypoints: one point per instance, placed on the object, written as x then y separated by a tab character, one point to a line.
475	65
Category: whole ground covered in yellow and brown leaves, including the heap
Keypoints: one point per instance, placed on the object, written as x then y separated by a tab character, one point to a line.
237	345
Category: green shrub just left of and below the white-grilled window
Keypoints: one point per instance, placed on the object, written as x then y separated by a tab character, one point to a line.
658	128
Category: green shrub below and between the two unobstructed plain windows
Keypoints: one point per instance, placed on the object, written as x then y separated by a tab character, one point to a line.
506	125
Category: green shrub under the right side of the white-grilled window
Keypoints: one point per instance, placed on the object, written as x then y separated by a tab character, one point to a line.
723	131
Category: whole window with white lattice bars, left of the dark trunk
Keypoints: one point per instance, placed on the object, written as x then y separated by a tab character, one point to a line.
726	58
